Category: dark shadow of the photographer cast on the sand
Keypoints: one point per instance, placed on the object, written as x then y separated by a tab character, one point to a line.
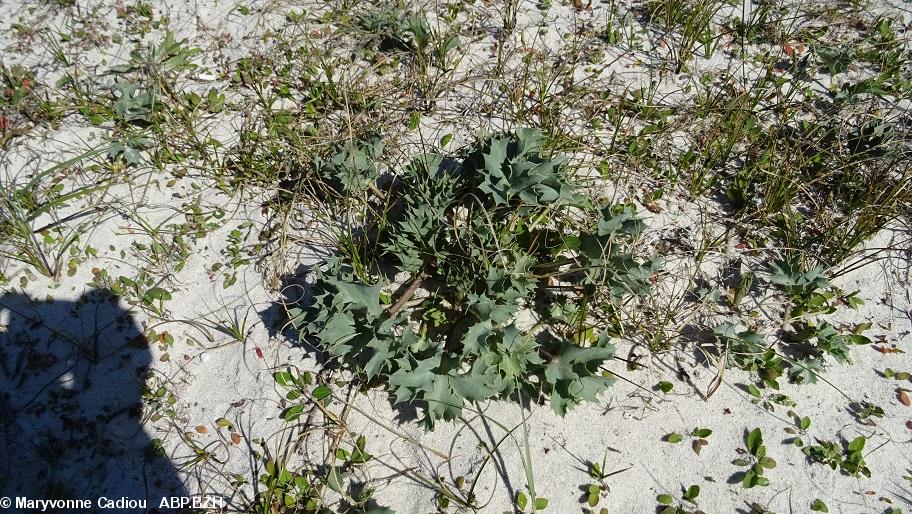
72	377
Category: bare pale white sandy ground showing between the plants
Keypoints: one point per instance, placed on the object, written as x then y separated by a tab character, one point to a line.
225	378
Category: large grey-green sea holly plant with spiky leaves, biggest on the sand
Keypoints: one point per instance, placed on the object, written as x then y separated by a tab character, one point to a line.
488	240
